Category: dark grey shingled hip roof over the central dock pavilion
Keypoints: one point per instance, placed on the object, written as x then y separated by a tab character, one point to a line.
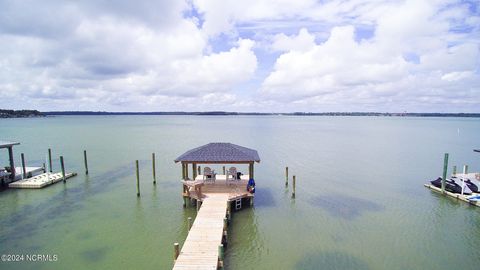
219	153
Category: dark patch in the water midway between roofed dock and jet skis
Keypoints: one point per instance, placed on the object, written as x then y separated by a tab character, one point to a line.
343	206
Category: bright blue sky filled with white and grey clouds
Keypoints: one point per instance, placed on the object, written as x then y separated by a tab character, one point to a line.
249	55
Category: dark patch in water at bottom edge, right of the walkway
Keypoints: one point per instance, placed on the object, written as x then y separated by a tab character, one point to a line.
331	260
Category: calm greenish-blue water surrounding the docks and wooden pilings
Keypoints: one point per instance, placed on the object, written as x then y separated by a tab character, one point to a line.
360	200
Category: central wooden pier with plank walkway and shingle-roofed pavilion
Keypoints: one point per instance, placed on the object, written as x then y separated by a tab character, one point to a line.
203	248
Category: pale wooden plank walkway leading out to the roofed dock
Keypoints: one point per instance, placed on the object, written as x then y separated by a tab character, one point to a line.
200	250
